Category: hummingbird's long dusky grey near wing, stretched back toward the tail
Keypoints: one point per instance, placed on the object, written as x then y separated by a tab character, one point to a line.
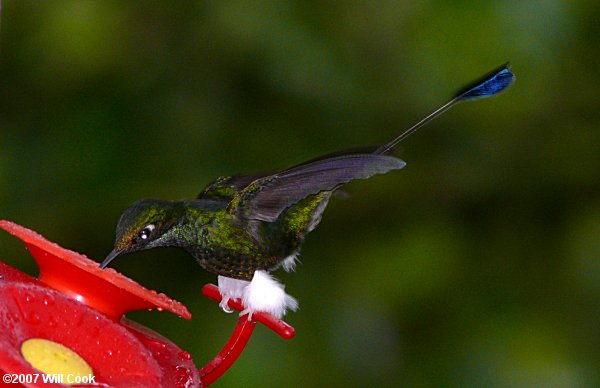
267	197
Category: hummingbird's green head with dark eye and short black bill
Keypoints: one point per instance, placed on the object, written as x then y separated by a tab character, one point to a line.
143	226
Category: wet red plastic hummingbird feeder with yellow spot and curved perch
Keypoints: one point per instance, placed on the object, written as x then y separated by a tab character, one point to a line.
69	324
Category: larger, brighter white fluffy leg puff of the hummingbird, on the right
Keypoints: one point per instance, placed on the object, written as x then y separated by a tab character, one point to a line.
266	294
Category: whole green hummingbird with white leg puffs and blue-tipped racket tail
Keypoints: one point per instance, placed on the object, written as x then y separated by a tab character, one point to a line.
243	227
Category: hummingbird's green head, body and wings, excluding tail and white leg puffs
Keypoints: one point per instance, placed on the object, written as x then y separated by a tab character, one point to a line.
225	227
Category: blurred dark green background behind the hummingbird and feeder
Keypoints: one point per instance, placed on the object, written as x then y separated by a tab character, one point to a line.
478	264
